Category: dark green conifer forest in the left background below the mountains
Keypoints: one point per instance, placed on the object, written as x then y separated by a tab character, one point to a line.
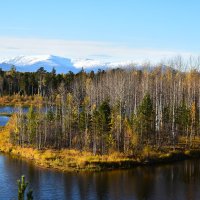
32	83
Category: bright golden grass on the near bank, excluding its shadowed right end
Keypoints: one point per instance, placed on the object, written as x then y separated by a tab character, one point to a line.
64	159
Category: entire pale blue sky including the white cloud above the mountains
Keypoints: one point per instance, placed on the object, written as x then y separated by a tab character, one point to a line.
114	29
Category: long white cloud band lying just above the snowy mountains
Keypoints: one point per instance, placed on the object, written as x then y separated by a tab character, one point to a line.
82	49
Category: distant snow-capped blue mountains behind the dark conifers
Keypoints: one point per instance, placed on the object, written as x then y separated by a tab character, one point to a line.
61	64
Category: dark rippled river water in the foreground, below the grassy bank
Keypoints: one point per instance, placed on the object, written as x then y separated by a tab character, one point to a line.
174	181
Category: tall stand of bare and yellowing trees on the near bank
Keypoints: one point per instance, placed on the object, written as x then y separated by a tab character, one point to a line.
114	110
